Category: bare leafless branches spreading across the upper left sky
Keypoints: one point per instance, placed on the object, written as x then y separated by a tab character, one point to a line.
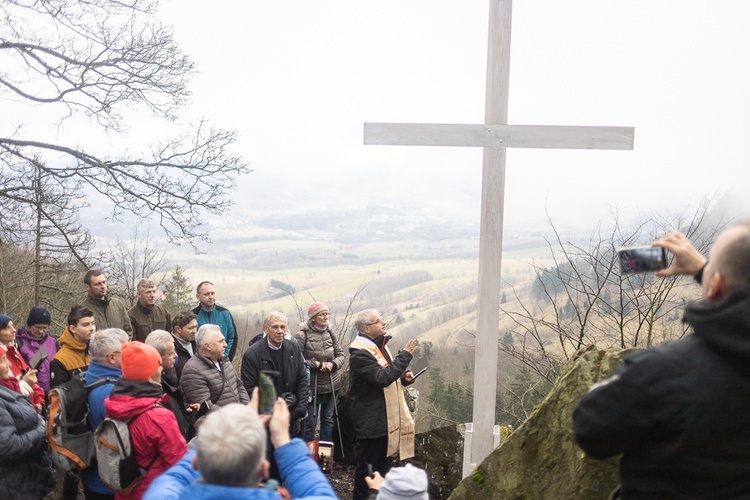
95	59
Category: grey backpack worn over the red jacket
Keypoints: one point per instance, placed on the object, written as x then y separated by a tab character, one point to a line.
115	456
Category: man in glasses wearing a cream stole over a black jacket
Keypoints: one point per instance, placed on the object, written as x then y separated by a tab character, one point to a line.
382	422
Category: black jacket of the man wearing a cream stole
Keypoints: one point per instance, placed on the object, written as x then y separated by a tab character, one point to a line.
366	382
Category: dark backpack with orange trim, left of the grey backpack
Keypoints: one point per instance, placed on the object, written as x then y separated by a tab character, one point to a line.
68	434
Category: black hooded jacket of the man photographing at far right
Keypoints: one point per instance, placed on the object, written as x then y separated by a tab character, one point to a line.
679	412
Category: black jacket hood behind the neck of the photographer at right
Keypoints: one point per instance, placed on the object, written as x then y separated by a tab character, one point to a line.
724	325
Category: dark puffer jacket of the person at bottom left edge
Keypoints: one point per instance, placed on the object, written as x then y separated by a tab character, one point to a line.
25	464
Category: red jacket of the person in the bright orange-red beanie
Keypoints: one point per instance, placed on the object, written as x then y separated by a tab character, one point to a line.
153	428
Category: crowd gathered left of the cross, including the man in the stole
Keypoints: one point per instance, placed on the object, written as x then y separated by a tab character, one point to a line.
193	421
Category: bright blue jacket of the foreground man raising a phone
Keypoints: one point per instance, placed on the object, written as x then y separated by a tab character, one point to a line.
301	475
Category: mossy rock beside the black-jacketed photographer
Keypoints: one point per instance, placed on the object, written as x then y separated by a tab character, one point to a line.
540	460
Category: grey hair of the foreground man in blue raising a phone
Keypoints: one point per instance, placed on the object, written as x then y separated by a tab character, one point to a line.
231	458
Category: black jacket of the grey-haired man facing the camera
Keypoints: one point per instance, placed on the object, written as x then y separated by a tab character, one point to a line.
293	374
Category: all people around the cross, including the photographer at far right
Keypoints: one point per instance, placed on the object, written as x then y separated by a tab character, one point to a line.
675	412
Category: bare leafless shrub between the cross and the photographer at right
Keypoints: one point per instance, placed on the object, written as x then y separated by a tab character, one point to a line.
585	299
